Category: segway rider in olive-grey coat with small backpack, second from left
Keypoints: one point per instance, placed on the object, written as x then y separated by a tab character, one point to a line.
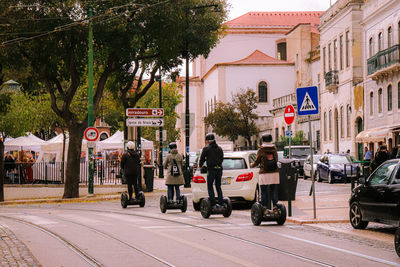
173	164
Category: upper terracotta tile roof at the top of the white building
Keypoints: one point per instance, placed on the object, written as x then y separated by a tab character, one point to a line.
265	19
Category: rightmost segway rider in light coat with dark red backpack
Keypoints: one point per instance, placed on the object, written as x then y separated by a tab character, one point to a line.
267	158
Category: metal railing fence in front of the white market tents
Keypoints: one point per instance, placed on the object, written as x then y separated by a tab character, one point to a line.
105	172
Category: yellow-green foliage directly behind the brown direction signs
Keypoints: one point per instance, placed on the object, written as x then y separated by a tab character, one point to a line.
170	99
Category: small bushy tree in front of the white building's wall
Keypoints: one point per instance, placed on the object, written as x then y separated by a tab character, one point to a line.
236	118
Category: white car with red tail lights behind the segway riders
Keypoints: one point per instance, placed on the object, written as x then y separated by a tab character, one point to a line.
239	181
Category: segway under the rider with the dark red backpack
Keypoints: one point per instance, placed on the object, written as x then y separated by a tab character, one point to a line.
259	213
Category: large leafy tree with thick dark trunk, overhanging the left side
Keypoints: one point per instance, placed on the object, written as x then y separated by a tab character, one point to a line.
48	43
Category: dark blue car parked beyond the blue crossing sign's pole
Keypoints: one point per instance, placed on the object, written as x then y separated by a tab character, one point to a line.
331	167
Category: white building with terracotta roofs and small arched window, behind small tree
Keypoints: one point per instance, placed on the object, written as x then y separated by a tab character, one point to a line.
252	54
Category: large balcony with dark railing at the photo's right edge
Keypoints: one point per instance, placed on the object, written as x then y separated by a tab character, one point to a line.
384	64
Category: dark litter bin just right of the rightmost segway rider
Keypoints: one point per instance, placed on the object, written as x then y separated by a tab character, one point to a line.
288	174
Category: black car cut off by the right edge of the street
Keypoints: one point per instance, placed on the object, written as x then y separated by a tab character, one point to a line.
377	199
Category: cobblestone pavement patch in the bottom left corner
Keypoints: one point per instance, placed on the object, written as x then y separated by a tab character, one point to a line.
13	252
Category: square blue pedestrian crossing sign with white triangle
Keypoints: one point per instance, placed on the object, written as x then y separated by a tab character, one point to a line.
307	100
